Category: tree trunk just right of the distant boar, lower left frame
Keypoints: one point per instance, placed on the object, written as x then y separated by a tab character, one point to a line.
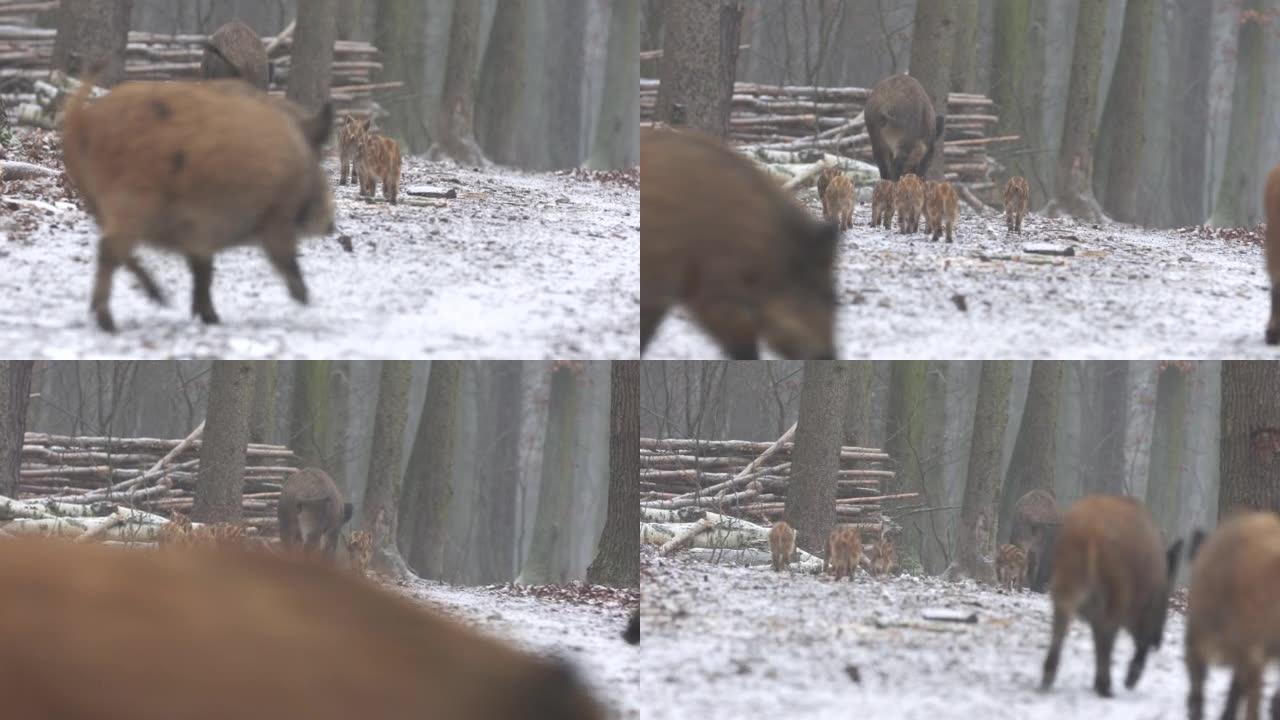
383	487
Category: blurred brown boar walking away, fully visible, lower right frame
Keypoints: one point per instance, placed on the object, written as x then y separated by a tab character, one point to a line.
1109	568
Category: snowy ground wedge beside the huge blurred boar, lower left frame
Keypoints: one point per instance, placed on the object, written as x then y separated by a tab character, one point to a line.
578	623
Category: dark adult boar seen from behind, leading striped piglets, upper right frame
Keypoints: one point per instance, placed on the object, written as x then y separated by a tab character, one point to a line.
902	126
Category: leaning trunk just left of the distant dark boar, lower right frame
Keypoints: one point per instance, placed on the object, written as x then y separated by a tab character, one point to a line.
1035	449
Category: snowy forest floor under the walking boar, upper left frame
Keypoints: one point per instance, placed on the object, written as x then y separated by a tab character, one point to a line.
519	266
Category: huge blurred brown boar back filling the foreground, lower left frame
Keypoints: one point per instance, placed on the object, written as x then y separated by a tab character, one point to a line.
308	640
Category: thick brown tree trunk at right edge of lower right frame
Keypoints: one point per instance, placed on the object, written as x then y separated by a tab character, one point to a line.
1251	438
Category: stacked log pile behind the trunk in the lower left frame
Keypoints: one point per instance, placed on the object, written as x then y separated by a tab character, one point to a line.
147	480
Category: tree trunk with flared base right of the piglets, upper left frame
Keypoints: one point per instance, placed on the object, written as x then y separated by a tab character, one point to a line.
455	129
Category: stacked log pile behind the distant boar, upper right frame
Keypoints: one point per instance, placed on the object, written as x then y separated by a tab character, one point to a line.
830	120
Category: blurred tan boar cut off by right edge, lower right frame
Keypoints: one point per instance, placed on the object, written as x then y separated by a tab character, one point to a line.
1232	612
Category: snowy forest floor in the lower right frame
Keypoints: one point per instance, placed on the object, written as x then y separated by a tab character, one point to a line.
724	641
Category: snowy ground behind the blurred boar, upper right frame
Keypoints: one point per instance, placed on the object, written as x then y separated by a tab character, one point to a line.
1127	293
